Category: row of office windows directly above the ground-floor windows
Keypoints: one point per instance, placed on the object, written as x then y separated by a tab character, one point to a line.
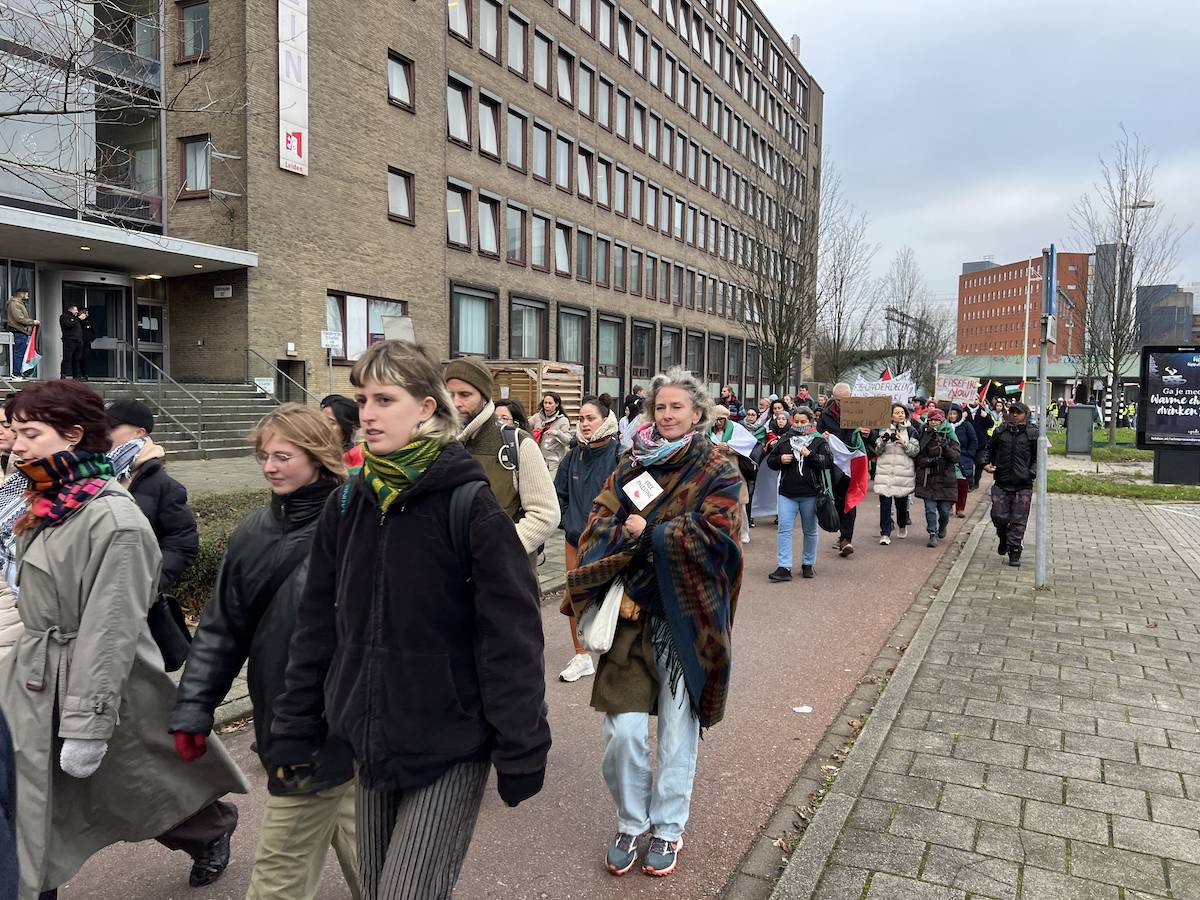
559	247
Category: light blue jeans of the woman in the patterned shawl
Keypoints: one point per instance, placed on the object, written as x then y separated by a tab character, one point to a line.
661	803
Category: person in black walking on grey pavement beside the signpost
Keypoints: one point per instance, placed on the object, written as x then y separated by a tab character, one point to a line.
1013	460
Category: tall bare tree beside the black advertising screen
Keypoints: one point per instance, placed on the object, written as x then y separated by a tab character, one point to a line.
1137	244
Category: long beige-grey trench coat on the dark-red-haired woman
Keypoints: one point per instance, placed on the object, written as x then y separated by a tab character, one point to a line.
88	668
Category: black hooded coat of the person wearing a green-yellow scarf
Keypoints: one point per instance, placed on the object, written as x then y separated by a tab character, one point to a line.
417	664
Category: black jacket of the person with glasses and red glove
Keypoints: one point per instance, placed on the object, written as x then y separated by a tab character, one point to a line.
239	623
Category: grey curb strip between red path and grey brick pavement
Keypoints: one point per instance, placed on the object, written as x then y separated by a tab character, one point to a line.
807	865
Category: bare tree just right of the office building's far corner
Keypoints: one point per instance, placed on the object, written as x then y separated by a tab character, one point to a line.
847	293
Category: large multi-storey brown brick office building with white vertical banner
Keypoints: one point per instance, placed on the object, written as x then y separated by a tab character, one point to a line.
568	181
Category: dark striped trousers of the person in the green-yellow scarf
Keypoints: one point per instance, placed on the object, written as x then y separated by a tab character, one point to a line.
412	844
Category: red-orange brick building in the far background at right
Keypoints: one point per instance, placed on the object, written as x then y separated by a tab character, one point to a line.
993	308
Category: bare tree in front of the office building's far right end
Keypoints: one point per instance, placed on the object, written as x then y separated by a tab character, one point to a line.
775	260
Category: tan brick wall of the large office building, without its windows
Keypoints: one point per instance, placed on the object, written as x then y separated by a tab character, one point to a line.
331	232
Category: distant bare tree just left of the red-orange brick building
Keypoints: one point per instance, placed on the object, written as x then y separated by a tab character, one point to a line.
917	333
